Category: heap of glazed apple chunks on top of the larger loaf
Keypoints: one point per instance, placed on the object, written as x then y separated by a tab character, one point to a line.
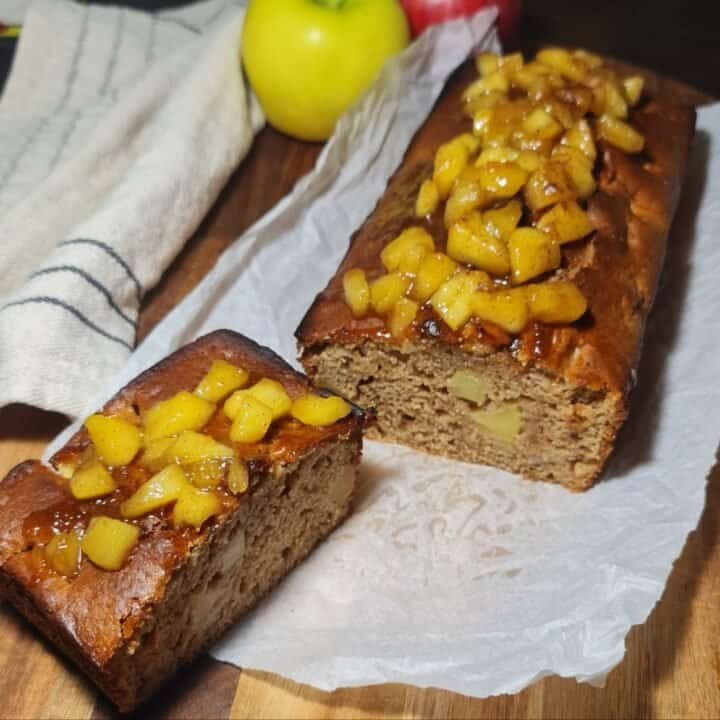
510	193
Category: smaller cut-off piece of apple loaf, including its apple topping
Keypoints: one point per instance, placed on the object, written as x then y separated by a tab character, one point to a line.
175	509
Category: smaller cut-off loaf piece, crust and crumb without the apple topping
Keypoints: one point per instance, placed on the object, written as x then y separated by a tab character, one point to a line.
180	586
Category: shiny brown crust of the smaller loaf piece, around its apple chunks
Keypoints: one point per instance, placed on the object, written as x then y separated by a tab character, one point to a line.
96	615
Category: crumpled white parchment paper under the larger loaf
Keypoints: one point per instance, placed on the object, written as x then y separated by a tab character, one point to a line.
452	575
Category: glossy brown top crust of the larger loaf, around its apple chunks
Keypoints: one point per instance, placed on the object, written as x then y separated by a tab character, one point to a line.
617	268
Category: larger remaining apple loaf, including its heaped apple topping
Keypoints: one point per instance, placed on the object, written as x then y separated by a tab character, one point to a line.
492	306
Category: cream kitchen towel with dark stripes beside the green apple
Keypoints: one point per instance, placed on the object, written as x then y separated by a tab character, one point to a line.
118	129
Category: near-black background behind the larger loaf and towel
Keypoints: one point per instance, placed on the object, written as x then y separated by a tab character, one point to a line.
679	38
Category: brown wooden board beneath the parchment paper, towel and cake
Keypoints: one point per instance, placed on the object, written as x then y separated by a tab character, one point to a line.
672	666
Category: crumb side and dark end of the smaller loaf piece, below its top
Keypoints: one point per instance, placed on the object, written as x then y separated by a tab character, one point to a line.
291	510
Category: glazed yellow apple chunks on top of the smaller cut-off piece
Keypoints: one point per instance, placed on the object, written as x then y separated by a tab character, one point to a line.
187	470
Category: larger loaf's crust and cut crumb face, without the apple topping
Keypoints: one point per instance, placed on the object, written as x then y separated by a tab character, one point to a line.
545	401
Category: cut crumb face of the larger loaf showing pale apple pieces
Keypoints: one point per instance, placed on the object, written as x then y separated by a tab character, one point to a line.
520	419
